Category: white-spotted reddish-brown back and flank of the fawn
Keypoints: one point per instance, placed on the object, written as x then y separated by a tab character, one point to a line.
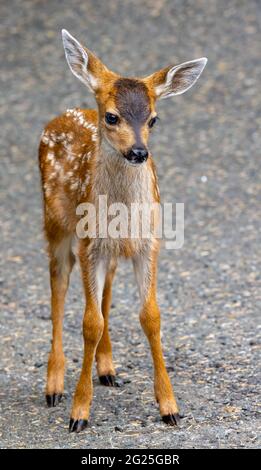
66	151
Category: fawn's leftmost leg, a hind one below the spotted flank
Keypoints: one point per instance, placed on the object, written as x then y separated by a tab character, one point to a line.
61	264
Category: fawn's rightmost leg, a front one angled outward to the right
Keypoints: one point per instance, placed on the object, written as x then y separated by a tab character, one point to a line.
145	270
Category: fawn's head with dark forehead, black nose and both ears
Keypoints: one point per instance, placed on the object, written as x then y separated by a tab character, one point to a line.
127	105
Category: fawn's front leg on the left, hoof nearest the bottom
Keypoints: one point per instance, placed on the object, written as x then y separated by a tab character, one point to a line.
93	271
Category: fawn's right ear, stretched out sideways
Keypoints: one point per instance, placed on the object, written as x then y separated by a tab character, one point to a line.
178	79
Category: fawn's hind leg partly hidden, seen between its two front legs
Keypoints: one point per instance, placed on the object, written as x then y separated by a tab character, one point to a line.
105	367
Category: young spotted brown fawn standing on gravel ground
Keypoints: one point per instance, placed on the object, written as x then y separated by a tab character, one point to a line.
85	153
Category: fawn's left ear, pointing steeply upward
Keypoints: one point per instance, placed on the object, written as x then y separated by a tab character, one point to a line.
82	62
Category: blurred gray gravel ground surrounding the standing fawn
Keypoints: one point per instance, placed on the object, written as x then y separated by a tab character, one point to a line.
207	150
